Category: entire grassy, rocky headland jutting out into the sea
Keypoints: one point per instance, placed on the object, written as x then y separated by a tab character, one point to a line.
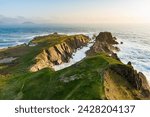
28	71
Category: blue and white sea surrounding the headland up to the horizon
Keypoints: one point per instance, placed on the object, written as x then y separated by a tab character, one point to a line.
135	38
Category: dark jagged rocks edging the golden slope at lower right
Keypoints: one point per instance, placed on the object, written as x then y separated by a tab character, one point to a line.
135	81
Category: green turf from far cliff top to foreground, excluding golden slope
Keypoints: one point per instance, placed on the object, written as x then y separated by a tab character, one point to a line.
84	79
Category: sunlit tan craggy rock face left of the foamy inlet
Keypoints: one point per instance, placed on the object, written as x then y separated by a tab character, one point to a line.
59	53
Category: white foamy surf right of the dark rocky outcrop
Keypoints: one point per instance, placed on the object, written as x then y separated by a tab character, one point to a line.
136	52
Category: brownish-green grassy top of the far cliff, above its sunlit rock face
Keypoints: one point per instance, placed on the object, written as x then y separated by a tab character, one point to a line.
25	54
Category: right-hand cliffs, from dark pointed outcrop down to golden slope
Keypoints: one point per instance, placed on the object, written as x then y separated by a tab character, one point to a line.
120	81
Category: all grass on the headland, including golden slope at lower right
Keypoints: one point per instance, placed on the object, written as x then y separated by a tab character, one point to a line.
91	78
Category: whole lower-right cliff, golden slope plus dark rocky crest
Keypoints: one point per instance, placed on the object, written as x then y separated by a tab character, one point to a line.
123	82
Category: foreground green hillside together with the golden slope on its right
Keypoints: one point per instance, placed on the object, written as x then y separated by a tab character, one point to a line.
84	80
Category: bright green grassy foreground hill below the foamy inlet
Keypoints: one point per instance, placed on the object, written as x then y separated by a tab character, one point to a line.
48	84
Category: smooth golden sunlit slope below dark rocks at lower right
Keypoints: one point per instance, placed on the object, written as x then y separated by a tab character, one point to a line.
115	87
